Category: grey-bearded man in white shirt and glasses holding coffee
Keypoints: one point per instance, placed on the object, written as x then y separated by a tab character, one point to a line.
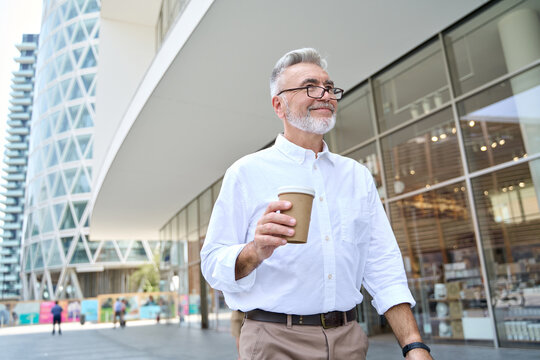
300	299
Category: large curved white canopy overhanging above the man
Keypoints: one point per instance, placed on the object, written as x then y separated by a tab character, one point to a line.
205	102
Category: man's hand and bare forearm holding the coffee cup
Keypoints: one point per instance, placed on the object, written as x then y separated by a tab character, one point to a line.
271	228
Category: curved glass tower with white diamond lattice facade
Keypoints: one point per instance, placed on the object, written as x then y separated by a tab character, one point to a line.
59	260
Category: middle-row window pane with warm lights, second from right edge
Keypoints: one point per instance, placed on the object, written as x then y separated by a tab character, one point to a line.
422	154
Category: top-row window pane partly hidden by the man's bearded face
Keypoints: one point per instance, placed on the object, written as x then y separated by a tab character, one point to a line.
354	121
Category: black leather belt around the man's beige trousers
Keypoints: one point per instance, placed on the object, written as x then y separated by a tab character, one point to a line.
329	320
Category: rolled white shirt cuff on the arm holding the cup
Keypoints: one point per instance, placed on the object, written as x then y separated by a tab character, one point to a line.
225	271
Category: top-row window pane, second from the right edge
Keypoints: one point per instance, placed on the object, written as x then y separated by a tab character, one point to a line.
414	87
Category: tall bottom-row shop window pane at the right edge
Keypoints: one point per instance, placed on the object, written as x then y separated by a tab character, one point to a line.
509	220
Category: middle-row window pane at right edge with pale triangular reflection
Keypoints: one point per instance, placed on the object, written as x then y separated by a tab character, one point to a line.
502	123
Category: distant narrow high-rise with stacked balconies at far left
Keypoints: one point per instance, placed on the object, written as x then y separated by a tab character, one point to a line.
15	160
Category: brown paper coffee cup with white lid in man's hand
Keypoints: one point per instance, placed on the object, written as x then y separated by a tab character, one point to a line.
301	198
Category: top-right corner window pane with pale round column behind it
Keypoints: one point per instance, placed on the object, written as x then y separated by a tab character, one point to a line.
493	44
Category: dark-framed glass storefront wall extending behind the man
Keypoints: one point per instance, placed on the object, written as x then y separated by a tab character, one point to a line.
451	134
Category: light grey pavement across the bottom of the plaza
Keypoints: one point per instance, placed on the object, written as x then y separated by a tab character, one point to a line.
147	340
